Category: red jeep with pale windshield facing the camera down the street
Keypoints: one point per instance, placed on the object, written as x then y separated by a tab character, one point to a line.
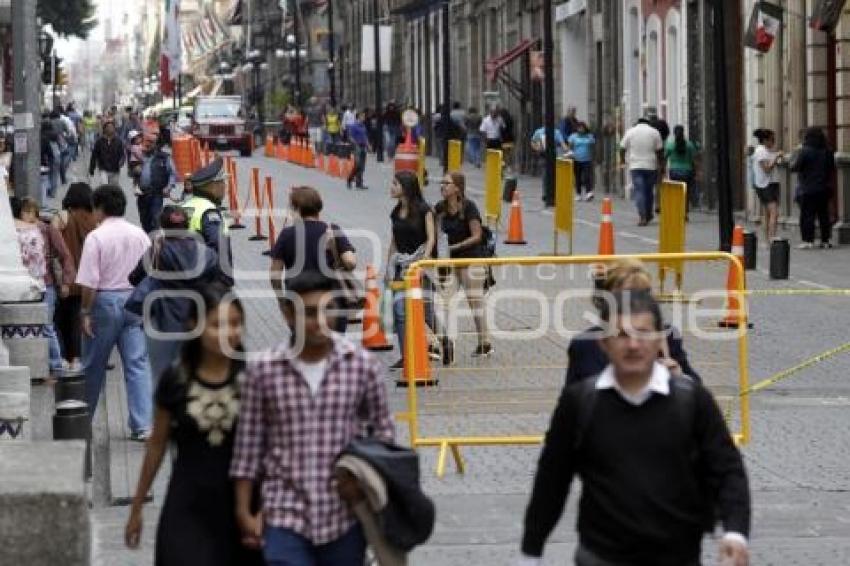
219	121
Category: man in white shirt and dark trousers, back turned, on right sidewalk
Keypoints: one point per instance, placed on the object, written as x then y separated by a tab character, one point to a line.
643	150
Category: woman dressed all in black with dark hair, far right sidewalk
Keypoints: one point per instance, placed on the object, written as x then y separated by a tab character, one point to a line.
815	166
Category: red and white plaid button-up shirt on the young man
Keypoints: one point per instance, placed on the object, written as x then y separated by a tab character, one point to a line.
290	438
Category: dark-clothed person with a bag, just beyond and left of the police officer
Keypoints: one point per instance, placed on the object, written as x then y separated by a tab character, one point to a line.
157	178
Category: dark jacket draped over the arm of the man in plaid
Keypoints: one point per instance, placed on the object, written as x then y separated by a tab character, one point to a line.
408	519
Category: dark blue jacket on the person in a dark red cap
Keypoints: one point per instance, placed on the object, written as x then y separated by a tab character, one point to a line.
169	314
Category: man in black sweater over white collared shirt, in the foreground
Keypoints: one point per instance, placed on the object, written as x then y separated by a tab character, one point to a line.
657	463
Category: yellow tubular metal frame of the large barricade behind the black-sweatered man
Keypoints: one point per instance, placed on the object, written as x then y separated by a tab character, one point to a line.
454	442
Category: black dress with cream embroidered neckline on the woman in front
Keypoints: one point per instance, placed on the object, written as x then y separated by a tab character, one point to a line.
197	525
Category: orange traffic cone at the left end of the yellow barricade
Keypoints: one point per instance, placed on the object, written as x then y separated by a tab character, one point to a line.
417	364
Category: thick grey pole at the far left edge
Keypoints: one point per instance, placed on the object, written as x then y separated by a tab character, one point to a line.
27	89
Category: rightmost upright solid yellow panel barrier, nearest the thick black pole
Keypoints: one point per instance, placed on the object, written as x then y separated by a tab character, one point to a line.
673	197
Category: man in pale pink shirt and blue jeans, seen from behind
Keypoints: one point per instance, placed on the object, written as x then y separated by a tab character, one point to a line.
110	253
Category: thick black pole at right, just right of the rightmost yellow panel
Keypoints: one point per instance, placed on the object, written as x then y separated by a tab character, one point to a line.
721	89
